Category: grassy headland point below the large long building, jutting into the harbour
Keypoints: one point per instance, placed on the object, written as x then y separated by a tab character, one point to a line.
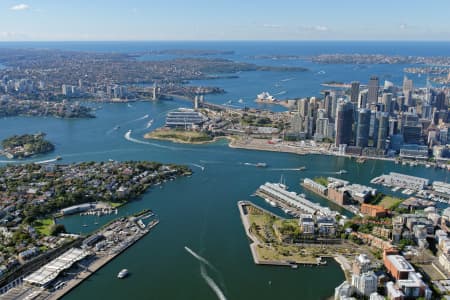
182	136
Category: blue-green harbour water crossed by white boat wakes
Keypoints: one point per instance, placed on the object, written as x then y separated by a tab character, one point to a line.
198	212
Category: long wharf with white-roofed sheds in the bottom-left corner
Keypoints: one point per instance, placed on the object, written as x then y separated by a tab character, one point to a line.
97	250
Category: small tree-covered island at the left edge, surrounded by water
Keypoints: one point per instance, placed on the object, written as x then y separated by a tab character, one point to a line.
23	146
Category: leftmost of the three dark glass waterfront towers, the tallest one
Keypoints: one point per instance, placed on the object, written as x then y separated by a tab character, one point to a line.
343	123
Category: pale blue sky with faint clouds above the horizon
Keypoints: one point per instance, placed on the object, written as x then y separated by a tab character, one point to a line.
115	20
